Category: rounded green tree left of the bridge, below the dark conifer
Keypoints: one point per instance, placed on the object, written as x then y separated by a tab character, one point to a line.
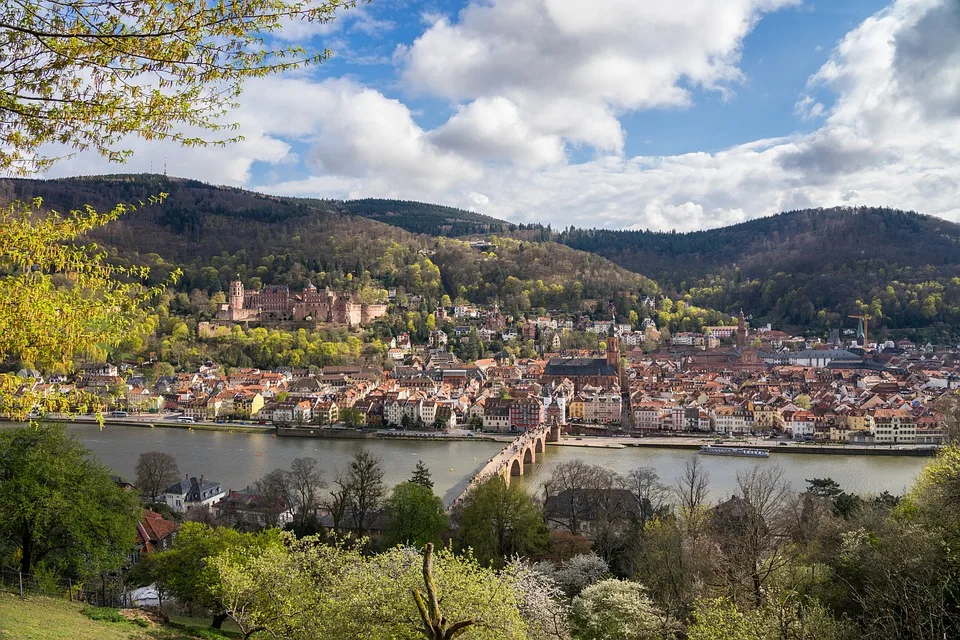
415	515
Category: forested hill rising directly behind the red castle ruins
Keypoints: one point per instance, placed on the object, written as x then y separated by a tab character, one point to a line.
214	233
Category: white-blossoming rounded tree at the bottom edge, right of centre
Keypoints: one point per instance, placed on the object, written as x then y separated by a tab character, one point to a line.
618	609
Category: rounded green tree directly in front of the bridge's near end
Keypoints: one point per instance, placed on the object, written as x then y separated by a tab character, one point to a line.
497	522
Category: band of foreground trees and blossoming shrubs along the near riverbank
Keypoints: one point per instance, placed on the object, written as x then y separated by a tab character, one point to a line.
618	557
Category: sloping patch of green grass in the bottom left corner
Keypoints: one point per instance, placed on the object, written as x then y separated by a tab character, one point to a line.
37	618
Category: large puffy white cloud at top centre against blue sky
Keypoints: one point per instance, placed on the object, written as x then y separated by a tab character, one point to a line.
571	70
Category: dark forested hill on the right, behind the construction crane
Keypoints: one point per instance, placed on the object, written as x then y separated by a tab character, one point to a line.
804	268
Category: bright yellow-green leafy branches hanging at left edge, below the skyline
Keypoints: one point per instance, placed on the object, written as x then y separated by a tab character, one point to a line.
61	300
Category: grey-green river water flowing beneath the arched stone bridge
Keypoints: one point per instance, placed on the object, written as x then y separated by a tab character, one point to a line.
238	459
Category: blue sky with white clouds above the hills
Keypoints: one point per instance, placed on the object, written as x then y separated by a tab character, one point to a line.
622	114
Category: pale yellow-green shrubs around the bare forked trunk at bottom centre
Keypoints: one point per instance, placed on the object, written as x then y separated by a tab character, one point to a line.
305	590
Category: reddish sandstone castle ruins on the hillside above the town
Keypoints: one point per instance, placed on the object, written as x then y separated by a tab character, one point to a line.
277	303
